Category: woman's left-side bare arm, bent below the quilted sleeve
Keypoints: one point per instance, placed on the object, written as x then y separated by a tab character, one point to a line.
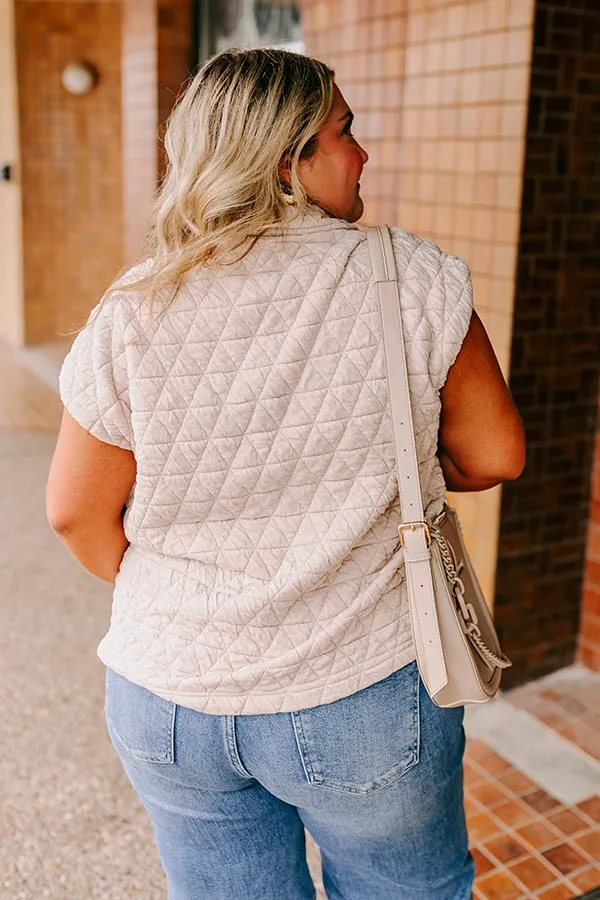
88	485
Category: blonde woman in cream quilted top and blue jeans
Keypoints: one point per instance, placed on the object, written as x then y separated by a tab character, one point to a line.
229	395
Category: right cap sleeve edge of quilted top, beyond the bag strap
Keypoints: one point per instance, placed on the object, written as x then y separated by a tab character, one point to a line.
456	302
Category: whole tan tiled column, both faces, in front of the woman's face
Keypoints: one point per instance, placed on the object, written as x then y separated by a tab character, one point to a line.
440	93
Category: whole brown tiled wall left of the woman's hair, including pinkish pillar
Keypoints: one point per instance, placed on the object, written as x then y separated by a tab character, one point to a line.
90	164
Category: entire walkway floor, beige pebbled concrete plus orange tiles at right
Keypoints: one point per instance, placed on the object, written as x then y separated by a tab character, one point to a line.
70	826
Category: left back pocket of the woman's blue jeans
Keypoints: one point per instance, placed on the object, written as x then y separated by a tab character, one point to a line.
139	723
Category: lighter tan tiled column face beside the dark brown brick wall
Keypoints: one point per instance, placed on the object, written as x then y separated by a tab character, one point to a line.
463	119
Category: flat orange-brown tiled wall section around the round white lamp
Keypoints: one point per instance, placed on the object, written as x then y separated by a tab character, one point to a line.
70	161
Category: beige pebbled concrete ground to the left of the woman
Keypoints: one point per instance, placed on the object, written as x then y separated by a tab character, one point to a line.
71	827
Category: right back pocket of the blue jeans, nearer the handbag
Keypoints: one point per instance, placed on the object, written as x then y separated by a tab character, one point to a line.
363	742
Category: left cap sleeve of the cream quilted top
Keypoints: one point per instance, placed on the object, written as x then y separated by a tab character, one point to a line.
93	381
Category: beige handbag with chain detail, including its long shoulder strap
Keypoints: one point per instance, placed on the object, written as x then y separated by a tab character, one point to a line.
458	653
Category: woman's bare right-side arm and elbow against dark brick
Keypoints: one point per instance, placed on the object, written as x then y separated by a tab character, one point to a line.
481	439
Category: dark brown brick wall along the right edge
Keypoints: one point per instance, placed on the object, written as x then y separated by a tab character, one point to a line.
556	354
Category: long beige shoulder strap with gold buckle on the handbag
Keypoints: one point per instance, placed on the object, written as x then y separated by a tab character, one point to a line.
414	531
